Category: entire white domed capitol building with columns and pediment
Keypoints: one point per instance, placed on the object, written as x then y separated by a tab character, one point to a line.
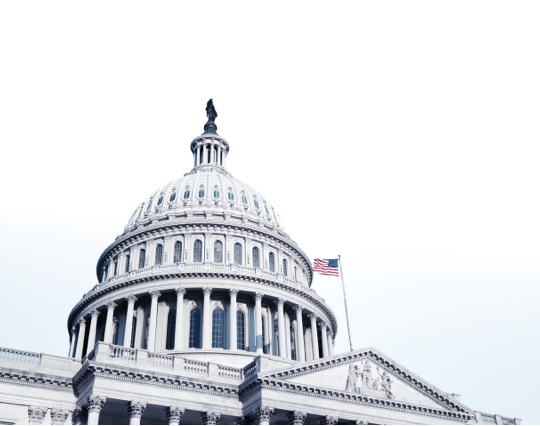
203	313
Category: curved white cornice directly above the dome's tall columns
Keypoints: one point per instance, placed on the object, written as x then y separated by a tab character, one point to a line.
167	275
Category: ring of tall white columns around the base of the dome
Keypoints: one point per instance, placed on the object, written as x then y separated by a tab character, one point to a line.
290	330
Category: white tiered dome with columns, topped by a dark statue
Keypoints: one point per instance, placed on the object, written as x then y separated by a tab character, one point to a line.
204	265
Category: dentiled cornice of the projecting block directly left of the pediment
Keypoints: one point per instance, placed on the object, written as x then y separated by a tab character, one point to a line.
152	378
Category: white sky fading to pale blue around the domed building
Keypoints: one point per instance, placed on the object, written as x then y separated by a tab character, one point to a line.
401	135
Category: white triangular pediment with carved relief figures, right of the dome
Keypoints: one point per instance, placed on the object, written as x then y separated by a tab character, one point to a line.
367	373
